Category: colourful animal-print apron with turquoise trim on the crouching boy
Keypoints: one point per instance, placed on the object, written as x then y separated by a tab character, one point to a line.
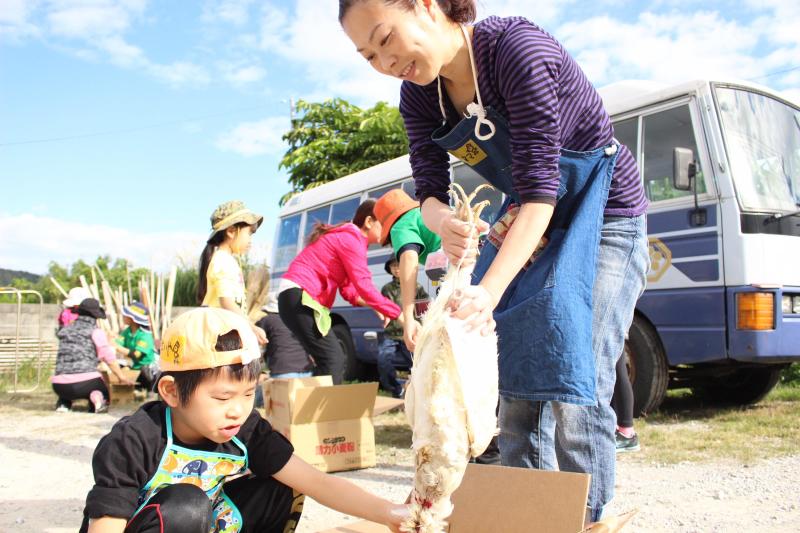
207	470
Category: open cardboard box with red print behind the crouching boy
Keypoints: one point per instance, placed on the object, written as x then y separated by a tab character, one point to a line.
329	426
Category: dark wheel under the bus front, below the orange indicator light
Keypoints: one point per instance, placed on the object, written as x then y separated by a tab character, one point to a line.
744	387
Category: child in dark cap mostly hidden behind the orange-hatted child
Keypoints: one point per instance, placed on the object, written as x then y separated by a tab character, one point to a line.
392	348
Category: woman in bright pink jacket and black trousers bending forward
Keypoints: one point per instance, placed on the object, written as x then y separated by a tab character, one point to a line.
335	258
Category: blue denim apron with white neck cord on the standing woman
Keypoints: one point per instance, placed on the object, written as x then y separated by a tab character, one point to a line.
544	318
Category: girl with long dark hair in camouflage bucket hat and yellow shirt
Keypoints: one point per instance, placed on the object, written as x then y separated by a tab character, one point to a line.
220	280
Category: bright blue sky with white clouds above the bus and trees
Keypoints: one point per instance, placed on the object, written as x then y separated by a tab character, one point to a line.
124	123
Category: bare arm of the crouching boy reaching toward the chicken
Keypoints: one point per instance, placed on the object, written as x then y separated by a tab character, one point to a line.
340	494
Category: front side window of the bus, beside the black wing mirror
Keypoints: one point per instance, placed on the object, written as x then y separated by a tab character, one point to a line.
663	131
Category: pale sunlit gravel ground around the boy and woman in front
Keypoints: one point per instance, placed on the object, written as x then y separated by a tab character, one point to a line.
46	458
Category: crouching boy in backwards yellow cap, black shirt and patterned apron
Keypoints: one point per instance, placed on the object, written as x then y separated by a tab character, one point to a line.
201	459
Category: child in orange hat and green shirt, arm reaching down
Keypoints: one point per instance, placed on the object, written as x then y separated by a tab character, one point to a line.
402	227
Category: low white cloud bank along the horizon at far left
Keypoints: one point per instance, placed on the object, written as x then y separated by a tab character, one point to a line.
31	241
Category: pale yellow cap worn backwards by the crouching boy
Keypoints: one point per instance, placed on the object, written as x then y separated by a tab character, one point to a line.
189	342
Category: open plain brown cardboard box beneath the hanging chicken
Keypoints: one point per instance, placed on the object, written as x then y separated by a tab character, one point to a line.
509	500
